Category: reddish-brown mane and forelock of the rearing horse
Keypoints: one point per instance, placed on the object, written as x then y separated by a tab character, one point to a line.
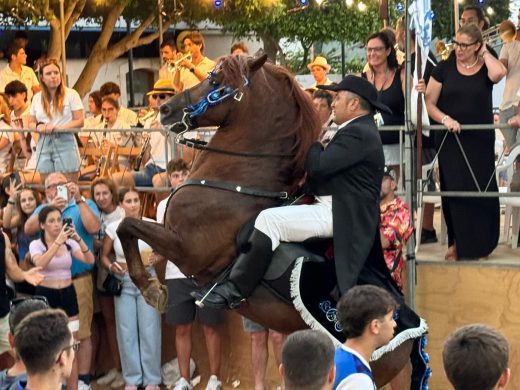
306	128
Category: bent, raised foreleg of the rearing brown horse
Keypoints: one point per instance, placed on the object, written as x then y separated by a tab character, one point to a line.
129	231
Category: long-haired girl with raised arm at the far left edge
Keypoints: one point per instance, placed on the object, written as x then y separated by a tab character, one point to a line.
20	206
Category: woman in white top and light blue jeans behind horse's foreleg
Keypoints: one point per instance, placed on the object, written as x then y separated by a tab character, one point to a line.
138	325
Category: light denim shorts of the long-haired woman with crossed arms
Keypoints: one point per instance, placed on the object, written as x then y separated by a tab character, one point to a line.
57	153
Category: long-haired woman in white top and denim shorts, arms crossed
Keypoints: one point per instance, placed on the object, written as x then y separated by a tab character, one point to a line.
55	110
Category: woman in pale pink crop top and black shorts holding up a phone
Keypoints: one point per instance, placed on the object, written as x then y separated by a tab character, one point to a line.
53	252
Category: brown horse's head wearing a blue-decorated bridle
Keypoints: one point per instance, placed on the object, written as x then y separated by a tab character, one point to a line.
210	102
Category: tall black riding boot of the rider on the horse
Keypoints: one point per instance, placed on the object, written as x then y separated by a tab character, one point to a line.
246	273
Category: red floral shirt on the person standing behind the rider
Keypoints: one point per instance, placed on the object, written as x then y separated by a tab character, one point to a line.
396	227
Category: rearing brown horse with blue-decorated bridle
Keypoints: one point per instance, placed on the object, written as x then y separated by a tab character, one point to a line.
266	123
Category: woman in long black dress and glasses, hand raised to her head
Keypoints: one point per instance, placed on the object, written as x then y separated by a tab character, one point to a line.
460	92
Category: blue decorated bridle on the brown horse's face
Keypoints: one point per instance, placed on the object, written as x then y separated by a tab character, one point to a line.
215	96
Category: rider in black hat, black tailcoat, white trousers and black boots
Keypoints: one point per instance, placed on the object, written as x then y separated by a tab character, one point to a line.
346	179
